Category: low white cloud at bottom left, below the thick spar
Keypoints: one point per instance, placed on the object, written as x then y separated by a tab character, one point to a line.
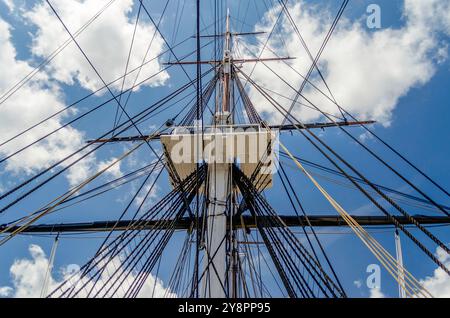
28	276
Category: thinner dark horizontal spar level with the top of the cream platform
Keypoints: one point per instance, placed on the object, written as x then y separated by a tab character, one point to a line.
278	127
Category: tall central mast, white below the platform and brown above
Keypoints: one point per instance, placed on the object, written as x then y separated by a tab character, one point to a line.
213	283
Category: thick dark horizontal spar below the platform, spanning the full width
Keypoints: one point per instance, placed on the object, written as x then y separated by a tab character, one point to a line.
249	221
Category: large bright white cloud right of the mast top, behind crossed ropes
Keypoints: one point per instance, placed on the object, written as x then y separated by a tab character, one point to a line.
367	71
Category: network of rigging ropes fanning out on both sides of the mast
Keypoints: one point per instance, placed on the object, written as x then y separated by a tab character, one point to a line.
291	269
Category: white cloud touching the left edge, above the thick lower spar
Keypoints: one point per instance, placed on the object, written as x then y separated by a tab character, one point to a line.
35	101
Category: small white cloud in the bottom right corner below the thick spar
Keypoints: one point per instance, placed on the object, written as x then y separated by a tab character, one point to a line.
439	283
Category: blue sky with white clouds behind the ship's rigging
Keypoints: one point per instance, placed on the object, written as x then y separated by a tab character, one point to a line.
397	75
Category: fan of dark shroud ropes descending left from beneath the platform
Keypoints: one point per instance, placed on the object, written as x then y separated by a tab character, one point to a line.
131	248
